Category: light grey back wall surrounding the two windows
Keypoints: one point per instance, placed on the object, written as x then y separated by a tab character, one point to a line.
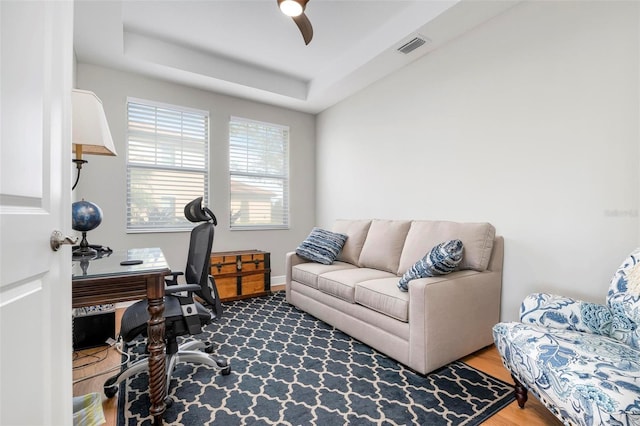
103	179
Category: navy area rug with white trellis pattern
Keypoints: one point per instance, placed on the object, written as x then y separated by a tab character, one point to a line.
289	368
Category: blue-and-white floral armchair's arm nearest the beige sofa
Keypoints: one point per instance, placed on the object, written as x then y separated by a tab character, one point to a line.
559	312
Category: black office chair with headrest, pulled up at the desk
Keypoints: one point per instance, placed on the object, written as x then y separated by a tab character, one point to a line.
183	314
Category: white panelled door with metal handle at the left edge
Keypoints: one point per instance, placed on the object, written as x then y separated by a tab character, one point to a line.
35	198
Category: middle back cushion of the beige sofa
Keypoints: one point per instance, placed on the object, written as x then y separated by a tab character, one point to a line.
383	245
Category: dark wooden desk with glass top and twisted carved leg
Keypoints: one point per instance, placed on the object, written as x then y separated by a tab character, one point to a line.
103	280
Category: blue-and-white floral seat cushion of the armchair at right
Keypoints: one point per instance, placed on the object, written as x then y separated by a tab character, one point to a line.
584	378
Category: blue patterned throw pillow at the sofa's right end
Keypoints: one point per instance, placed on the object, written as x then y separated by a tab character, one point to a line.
441	260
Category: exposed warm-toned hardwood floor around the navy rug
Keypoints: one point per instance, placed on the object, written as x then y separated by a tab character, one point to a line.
488	360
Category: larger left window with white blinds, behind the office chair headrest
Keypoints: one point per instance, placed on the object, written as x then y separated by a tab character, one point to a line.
167	164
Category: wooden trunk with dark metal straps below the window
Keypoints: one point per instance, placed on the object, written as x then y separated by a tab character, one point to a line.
241	274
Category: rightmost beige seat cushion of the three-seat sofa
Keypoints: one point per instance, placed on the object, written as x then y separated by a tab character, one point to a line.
383	296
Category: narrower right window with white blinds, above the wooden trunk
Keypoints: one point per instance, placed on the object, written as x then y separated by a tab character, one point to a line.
259	175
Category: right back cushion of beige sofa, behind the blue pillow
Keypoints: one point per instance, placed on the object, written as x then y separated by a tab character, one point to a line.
477	239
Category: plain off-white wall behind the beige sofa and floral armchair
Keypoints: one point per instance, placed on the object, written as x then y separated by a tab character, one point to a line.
529	122
